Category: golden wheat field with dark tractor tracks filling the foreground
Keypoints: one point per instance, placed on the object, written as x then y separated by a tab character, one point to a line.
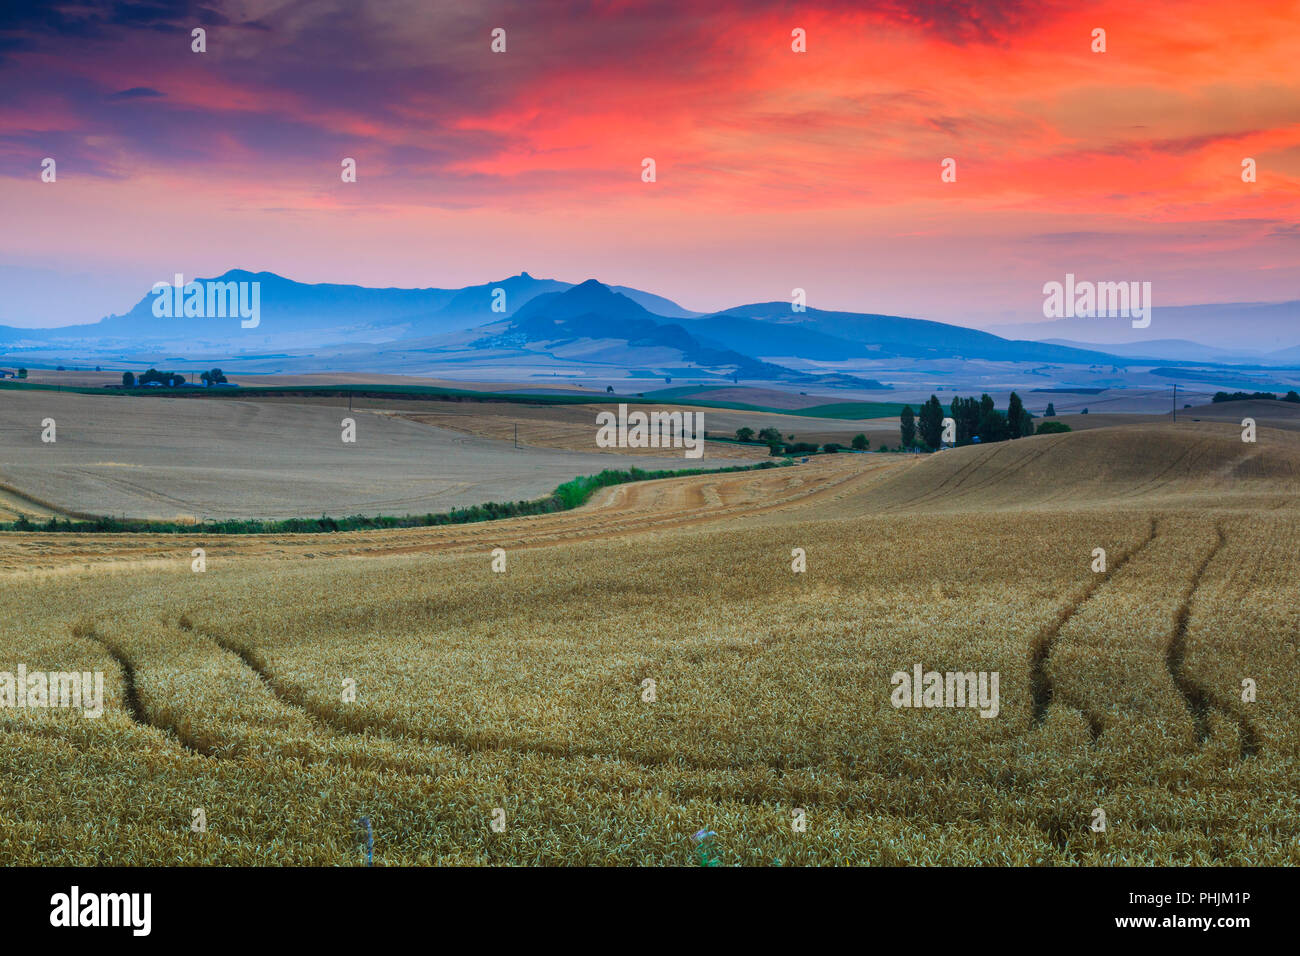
525	690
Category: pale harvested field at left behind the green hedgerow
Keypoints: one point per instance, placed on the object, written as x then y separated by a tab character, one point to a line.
194	460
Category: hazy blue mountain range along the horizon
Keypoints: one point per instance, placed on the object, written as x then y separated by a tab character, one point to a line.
541	326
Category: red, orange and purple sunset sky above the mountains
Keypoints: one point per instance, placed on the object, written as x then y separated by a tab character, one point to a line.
774	170
